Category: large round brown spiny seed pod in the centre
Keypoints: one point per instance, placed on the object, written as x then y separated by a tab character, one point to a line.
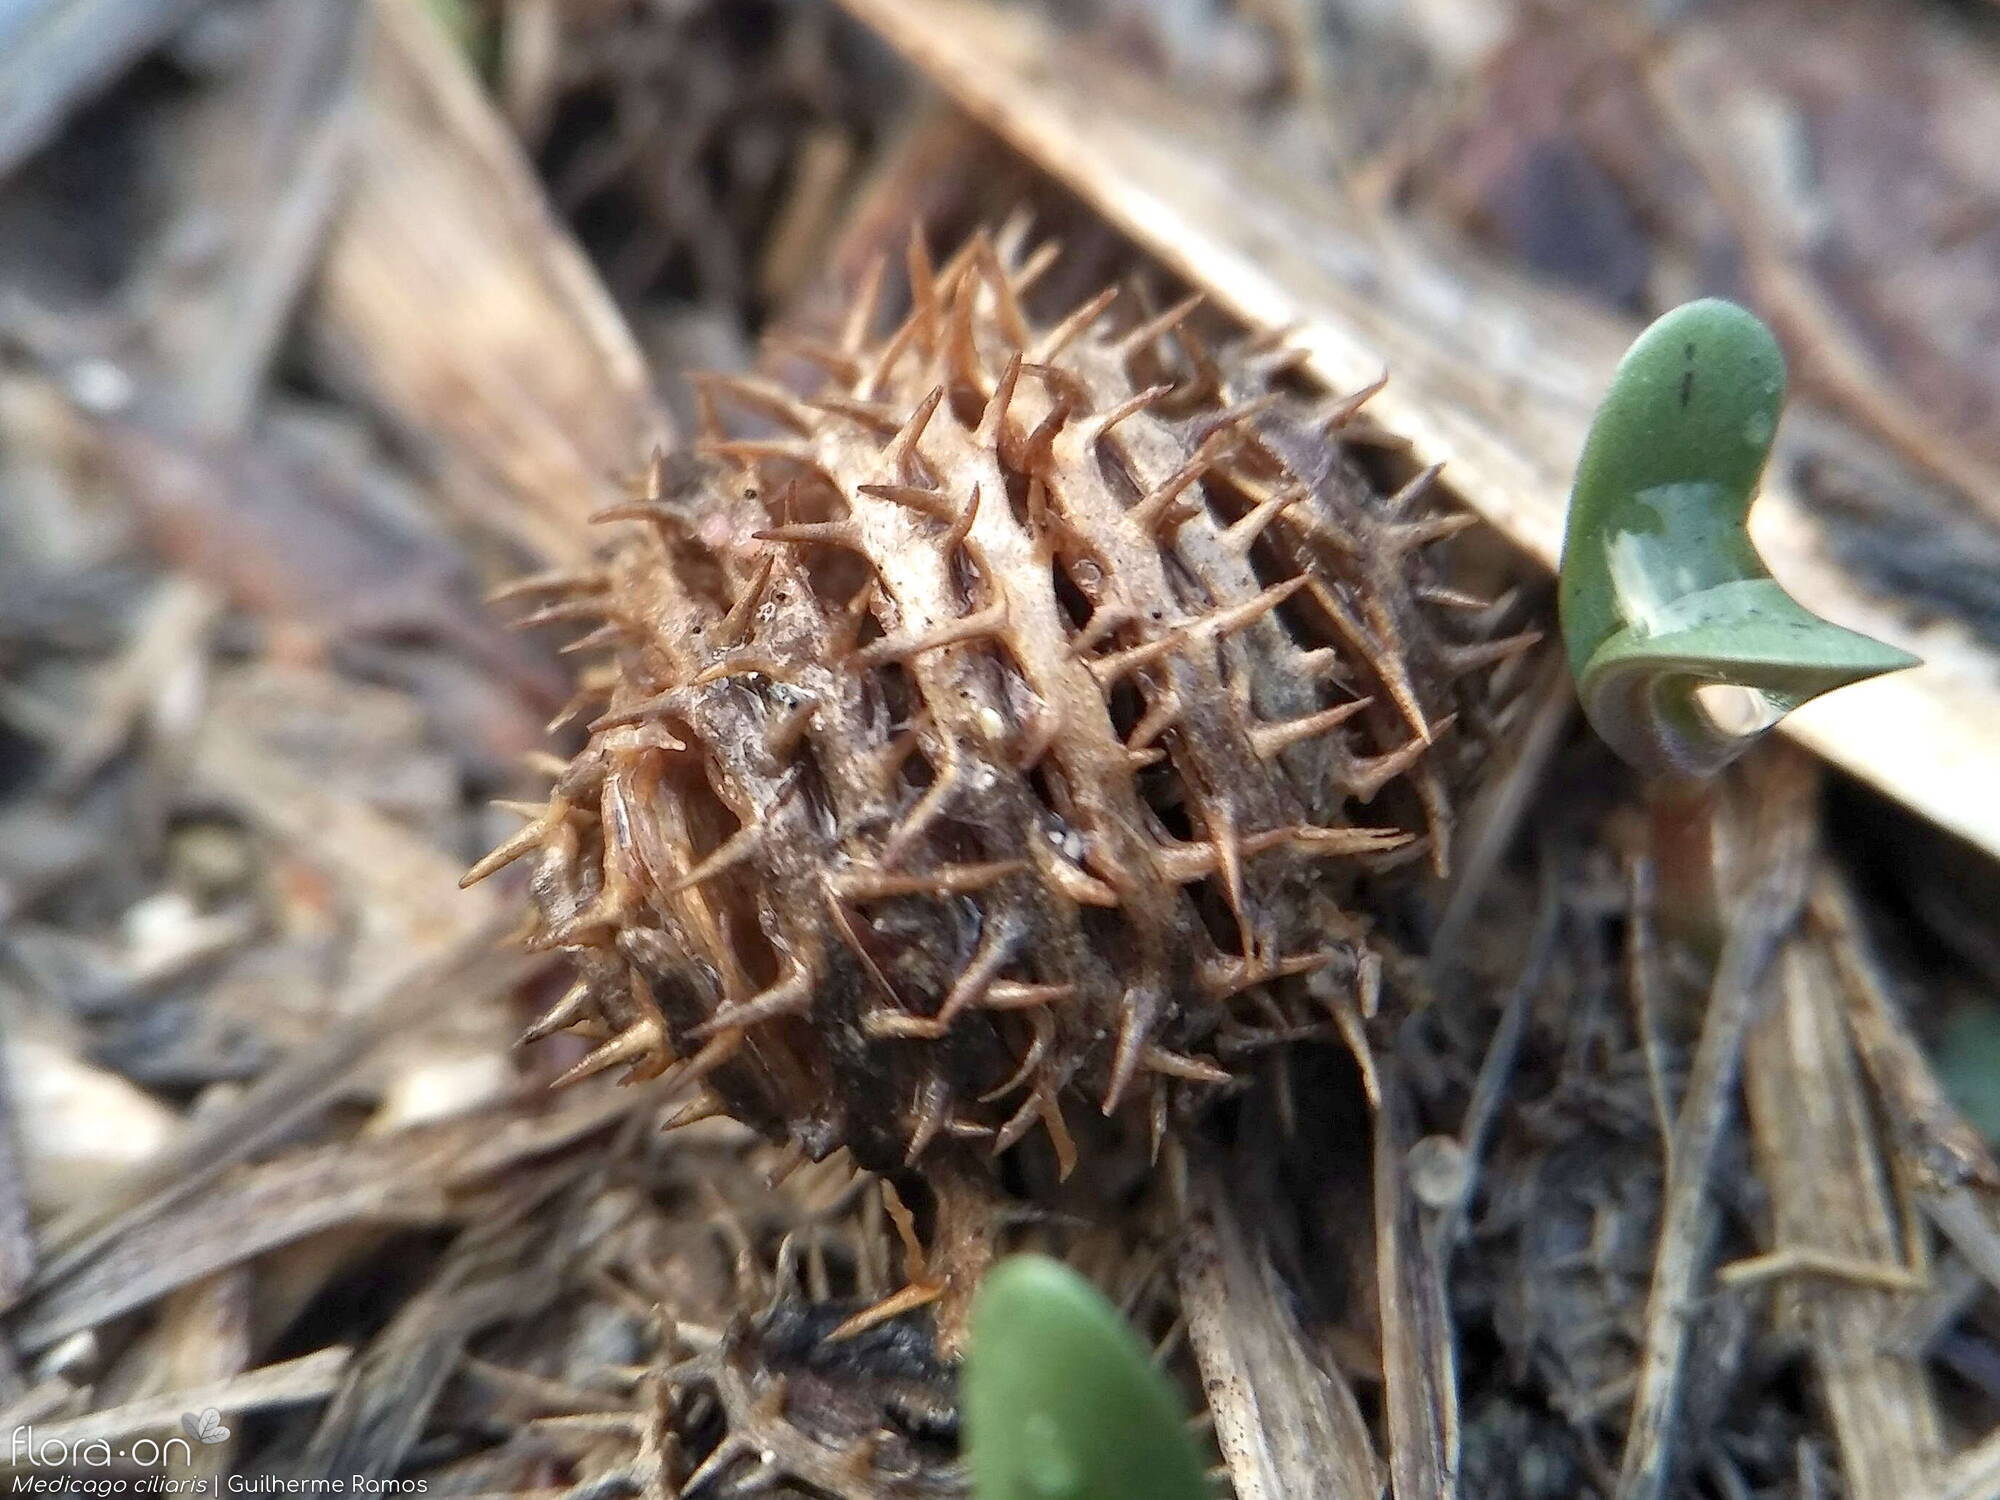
989	731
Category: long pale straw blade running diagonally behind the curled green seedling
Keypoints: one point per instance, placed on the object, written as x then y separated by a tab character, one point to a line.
1493	377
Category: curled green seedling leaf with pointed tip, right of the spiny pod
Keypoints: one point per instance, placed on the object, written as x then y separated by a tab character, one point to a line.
1683	647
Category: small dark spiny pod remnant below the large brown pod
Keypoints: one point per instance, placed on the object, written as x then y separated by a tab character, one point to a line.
777	1369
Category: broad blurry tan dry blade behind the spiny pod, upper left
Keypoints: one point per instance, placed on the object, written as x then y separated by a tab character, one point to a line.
467	315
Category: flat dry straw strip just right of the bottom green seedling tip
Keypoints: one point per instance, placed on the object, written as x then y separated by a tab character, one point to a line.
1285	1423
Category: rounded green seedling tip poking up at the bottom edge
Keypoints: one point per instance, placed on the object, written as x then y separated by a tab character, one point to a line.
1063	1401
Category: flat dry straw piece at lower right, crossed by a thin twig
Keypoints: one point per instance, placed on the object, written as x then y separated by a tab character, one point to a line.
1833	1197
